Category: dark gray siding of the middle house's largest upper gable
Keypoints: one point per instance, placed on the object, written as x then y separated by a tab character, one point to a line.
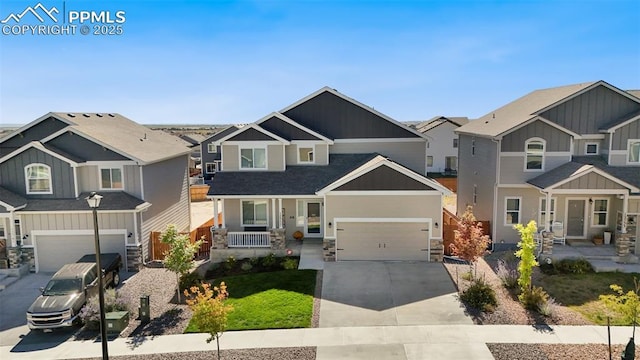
337	118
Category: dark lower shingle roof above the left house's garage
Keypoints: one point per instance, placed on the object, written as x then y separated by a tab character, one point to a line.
117	200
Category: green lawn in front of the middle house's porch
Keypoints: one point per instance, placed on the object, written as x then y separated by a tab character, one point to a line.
270	300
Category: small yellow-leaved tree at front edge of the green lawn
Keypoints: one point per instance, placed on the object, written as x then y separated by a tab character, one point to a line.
209	310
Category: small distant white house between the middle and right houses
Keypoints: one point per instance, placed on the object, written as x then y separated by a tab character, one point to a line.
442	156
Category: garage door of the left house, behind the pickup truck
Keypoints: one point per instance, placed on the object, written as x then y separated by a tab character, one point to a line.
53	251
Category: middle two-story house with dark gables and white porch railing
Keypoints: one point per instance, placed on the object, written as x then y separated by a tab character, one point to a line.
333	169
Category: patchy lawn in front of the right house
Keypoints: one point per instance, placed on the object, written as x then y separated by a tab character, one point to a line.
580	291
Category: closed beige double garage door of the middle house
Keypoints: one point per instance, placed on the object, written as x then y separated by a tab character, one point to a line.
382	241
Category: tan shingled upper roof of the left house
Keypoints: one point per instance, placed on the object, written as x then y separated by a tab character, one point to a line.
117	133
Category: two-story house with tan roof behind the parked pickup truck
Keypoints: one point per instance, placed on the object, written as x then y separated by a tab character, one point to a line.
49	166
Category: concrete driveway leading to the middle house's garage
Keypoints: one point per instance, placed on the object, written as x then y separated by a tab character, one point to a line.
374	293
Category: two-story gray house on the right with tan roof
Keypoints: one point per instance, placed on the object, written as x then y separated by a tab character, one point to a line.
570	153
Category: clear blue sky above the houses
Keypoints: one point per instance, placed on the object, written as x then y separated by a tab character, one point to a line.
220	62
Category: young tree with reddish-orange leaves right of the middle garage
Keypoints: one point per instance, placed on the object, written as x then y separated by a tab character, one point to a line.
469	242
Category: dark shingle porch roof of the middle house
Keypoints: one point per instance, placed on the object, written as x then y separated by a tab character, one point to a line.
295	180
